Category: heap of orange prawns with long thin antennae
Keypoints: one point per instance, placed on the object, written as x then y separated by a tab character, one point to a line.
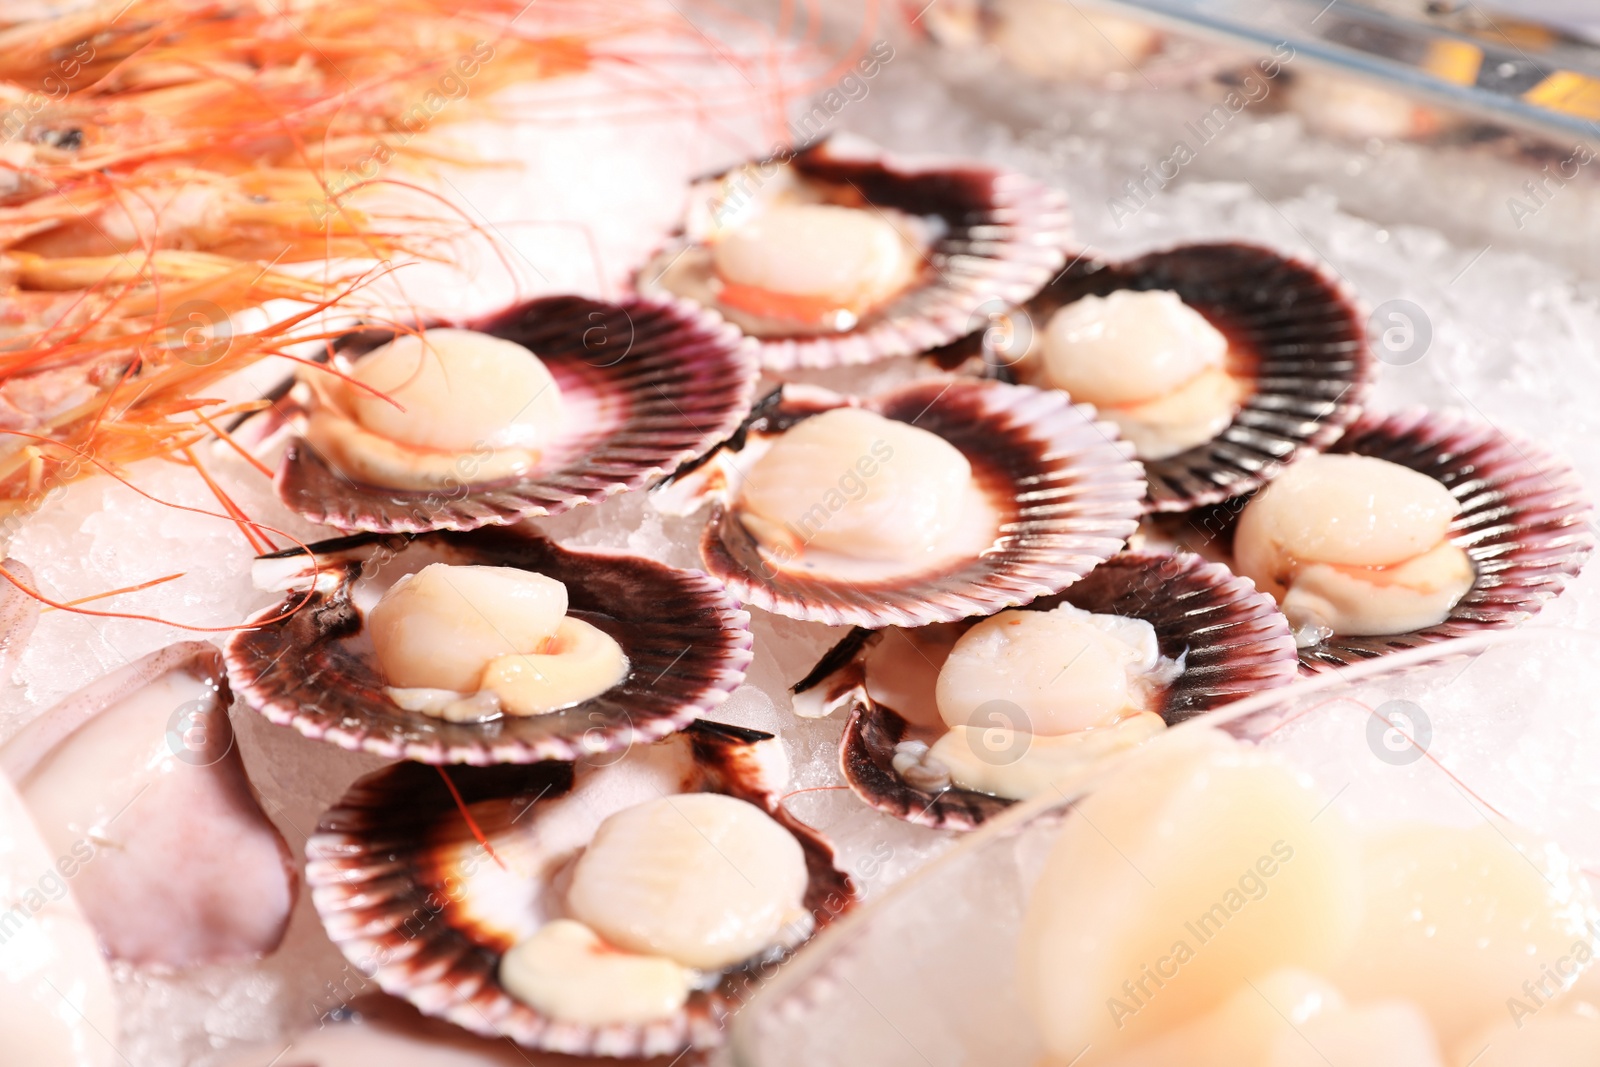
198	151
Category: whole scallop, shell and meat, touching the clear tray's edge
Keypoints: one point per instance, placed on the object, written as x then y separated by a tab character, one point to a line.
951	724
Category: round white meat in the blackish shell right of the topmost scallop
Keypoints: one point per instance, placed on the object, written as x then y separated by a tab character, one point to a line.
1129	348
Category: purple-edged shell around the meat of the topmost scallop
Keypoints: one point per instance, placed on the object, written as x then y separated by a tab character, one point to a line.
998	238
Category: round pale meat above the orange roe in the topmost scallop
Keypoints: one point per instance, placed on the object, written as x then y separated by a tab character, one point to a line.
842	255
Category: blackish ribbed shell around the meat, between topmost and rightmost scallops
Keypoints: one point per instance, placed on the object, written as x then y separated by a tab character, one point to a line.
1292	327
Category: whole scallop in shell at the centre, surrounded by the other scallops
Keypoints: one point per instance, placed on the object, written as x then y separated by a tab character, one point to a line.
930	503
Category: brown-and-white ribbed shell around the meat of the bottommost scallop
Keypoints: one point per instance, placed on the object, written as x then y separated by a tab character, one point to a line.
393	877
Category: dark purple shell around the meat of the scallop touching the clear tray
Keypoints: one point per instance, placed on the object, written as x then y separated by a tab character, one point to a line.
1233	642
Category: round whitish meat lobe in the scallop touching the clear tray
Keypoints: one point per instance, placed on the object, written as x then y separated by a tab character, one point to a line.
1049	673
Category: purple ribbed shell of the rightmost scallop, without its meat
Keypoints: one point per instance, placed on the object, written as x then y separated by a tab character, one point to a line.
1526	521
